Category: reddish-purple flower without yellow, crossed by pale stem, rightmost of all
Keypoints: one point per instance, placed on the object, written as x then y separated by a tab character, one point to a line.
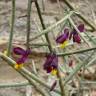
75	35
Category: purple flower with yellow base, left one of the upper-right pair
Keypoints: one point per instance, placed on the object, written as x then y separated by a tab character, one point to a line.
63	38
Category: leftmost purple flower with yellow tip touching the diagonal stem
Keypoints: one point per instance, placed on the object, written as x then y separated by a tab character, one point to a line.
24	55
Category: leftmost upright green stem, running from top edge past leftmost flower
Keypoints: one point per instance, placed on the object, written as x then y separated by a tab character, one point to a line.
12	28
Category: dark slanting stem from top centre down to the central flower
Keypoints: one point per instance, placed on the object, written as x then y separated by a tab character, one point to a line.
43	25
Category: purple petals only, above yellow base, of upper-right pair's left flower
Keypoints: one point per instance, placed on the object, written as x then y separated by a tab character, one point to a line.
60	39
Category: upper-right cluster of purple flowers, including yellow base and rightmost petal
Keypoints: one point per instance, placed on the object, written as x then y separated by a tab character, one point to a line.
63	38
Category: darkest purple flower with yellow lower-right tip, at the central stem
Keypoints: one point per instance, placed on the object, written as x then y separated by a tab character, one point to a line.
51	63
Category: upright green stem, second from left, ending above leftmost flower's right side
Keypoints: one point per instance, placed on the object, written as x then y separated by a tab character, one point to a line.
28	22
